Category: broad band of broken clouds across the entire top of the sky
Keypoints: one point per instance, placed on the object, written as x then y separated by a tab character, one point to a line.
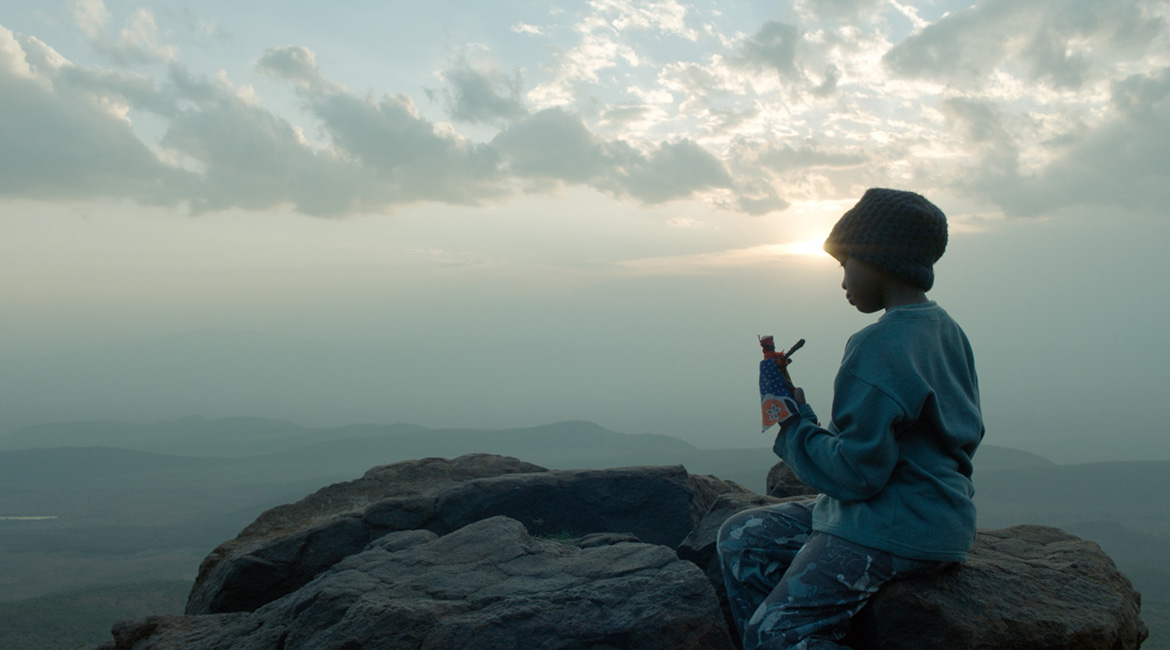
1028	107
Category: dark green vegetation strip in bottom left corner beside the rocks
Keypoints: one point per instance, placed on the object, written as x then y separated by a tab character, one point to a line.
84	618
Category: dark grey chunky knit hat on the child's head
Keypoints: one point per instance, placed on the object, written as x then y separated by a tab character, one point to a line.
901	233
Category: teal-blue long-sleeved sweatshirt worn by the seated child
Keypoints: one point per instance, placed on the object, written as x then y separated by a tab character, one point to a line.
894	465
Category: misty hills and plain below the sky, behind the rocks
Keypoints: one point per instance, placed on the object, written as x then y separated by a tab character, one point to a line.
112	520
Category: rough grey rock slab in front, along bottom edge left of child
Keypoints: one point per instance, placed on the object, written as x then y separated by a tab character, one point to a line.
488	586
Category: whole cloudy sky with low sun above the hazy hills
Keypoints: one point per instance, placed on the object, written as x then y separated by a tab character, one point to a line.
499	215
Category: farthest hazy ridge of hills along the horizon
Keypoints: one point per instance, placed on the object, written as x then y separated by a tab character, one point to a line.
280	451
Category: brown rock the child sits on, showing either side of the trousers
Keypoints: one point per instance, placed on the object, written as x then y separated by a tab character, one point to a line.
1022	589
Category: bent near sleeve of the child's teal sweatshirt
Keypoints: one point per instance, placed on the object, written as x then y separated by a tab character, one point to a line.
855	458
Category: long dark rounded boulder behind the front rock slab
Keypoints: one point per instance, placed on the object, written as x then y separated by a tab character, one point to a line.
291	545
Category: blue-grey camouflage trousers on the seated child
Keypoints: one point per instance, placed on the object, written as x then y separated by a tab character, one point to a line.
793	589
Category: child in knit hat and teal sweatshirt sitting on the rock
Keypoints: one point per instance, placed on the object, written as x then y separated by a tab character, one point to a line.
894	464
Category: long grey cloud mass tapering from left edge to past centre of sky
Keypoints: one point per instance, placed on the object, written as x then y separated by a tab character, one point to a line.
222	149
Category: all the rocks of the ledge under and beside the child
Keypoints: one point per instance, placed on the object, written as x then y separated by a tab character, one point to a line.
490	552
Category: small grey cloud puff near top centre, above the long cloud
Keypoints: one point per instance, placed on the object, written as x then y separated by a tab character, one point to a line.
479	93
